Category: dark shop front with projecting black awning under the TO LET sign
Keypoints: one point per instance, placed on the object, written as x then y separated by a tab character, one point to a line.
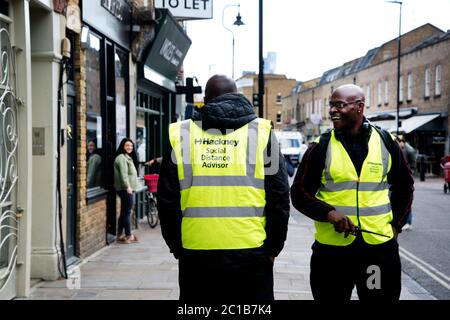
157	77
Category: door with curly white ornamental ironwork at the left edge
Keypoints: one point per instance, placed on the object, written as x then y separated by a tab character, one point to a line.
8	168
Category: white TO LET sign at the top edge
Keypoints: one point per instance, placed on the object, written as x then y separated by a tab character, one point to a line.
187	9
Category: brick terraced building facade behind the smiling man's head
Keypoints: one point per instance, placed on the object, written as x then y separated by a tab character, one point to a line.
424	90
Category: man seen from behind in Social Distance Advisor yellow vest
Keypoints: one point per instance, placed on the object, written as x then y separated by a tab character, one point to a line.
223	201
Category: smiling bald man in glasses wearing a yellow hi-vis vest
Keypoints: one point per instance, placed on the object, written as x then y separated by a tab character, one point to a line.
343	183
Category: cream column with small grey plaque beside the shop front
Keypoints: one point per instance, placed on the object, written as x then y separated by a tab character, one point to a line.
46	34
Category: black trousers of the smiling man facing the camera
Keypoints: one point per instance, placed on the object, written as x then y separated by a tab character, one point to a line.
374	269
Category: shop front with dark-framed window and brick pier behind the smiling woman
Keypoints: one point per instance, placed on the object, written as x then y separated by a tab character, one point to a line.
102	92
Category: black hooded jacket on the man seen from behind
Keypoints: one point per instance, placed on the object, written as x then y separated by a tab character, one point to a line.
229	111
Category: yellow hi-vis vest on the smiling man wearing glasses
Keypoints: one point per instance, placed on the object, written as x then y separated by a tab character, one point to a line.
364	199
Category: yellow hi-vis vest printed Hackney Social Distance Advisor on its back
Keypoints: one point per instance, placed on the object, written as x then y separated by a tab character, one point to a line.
222	184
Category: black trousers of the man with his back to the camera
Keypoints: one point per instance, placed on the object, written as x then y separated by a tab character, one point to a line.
216	277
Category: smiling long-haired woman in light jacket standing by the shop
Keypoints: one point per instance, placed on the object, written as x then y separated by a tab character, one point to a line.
125	183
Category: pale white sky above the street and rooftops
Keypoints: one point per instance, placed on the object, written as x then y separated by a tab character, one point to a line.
309	37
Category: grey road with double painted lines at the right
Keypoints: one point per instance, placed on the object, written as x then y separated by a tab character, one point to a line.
425	249
